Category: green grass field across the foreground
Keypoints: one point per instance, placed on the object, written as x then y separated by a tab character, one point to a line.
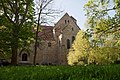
91	72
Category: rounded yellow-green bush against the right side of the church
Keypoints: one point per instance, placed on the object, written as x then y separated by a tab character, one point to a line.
80	50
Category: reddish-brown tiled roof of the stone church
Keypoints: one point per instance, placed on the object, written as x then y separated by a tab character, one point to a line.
47	31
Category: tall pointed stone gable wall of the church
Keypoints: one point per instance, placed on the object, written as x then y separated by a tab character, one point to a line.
68	29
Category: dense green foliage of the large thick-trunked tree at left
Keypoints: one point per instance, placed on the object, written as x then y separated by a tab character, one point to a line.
15	25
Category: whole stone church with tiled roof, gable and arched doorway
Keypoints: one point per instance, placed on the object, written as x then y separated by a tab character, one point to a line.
55	44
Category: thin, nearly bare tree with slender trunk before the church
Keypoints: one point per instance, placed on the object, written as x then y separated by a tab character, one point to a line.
45	14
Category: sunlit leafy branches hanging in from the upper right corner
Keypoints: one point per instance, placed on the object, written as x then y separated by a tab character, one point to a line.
103	17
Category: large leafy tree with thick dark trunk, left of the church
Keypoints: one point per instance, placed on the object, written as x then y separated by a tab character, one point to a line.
18	13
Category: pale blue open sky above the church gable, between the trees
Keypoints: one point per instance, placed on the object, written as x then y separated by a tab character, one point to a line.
73	8
